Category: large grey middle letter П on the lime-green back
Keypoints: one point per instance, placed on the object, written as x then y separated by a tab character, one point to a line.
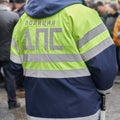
45	31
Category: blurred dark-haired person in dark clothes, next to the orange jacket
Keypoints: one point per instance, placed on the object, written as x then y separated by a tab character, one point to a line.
111	19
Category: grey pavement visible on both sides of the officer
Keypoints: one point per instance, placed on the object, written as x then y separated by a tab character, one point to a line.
112	113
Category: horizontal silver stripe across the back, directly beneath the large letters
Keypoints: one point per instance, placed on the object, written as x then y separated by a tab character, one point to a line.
52	57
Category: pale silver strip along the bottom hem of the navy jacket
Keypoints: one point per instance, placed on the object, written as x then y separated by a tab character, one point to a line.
91	117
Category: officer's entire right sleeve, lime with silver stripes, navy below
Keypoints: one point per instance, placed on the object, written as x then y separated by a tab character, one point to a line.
98	51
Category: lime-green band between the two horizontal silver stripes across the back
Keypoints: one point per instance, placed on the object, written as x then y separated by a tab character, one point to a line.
54	65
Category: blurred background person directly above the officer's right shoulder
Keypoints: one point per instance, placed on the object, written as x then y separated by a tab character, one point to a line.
101	8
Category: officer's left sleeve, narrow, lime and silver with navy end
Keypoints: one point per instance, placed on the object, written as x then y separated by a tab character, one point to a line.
15	55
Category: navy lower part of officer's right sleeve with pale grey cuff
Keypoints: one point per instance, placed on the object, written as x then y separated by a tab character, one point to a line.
103	69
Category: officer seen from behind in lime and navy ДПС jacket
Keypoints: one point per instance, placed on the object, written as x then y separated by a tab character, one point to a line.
68	60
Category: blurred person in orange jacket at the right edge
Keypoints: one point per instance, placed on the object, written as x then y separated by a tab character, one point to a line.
116	35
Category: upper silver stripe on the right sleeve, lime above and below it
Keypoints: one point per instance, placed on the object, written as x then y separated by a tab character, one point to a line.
91	34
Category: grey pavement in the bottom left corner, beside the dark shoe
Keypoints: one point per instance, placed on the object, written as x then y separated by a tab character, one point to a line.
15	114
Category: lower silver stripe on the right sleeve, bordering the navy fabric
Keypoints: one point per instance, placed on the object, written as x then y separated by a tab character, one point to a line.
97	49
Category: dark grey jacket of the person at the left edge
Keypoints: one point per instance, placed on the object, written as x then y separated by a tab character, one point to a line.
8	20
